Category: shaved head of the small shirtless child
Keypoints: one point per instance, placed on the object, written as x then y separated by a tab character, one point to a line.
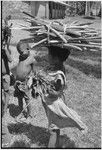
23	48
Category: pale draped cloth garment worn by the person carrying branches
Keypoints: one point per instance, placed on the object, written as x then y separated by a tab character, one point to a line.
58	113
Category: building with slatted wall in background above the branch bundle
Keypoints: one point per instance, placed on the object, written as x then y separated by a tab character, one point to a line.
48	9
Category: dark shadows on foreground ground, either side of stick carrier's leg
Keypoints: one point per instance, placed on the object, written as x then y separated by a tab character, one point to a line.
37	135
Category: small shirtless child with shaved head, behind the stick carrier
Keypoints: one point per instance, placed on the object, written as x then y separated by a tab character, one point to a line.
23	71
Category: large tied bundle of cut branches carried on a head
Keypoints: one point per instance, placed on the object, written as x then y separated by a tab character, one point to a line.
73	35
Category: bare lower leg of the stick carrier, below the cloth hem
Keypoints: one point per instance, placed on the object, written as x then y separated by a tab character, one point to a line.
54	138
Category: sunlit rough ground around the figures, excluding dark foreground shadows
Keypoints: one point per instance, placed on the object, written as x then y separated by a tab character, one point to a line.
83	94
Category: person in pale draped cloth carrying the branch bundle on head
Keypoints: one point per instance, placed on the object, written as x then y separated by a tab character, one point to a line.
58	114
